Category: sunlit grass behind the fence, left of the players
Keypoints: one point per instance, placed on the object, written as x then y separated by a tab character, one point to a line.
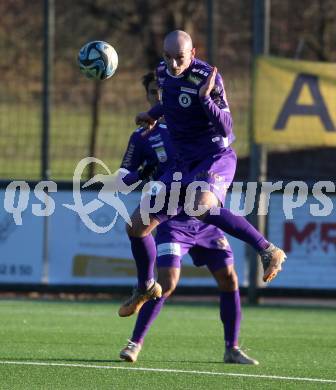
20	140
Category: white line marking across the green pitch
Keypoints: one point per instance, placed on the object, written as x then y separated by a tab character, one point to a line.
289	378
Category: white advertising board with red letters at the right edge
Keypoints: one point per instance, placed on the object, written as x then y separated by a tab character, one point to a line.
310	244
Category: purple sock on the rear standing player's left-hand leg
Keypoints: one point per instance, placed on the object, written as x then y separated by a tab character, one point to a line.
146	316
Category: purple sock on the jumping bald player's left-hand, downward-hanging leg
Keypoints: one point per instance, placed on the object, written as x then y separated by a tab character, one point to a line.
144	253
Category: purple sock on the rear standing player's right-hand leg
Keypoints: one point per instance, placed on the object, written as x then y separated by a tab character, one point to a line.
230	313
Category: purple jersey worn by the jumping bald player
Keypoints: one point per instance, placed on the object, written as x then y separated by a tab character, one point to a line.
198	126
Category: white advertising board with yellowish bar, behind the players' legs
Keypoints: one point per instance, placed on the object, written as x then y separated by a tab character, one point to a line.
77	255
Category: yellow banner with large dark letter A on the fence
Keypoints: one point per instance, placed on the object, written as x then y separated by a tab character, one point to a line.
294	102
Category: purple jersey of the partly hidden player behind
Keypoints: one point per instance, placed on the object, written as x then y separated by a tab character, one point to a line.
153	148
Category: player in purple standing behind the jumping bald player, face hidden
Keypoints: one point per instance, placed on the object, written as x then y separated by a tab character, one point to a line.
148	155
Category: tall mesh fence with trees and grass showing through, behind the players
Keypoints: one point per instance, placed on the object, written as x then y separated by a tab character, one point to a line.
222	32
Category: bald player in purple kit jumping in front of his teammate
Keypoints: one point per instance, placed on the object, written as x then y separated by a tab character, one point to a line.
198	117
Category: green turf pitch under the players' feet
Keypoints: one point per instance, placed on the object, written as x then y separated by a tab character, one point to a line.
291	342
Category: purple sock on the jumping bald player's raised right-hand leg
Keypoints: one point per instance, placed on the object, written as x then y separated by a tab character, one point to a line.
238	227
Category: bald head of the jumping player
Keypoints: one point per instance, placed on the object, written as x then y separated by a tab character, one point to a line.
178	51
